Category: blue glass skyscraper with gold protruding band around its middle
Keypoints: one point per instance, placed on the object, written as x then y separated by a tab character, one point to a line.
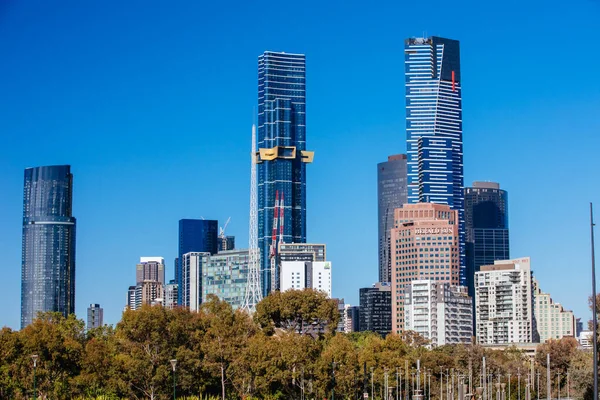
281	155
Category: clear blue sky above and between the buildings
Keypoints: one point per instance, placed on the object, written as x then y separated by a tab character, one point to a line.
151	103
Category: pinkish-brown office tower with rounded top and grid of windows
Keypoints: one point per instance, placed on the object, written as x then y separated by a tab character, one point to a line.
425	245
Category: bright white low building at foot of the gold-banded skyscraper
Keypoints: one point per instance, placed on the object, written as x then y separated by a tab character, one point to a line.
306	274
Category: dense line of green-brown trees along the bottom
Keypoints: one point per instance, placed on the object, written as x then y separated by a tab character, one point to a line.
288	348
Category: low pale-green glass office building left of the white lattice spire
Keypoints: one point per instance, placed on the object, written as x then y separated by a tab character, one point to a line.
225	275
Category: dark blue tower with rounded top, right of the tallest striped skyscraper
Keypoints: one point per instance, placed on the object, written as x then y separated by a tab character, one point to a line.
486	223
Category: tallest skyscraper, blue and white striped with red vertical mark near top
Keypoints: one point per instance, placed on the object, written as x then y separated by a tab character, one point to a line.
434	127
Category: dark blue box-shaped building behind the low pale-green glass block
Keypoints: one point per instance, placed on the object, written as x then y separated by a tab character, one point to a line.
195	235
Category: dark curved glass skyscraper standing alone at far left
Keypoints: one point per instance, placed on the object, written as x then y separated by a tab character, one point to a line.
48	255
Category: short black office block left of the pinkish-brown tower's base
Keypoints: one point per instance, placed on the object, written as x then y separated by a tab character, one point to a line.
375	311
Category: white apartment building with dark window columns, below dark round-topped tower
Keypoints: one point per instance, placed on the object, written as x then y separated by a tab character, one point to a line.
504	303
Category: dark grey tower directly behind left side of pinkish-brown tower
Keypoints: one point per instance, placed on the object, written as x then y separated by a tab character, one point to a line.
391	194
